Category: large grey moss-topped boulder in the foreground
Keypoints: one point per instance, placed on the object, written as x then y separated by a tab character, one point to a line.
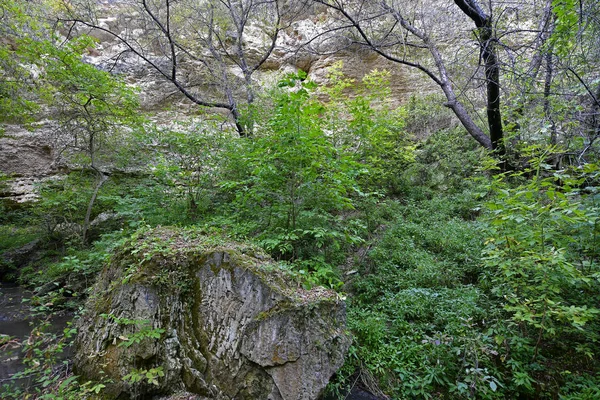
218	320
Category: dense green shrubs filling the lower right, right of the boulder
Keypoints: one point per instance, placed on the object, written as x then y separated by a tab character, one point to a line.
432	318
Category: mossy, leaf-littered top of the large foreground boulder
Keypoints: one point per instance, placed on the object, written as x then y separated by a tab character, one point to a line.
168	257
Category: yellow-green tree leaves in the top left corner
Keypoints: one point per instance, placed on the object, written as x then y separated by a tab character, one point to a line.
38	70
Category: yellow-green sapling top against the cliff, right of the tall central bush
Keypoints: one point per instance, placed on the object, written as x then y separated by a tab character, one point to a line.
368	127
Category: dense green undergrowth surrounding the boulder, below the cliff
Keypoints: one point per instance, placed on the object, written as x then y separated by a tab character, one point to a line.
462	282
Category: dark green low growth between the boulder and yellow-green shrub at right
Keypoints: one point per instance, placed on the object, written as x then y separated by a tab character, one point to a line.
419	319
